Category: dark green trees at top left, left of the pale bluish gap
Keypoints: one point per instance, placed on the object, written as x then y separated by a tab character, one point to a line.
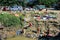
11	2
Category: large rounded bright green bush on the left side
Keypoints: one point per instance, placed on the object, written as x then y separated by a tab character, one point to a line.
9	20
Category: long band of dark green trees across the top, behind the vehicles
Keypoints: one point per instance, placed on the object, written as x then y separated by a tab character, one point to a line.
25	3
